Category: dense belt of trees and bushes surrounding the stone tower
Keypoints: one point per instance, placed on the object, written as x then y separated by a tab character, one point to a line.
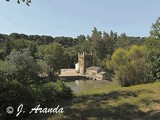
29	64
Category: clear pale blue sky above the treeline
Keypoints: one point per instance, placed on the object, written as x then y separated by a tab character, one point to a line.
71	18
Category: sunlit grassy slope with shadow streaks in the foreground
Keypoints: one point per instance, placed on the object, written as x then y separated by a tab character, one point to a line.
112	102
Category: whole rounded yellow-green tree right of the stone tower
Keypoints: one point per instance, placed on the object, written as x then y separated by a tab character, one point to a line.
130	66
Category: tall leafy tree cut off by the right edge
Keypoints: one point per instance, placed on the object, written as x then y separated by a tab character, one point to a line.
153	46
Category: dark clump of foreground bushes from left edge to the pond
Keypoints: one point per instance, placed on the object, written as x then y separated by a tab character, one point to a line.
13	93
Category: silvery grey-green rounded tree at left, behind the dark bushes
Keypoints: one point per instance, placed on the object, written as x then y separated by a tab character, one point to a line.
26	67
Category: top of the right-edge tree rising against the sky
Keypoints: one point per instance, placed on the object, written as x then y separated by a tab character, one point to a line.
155	31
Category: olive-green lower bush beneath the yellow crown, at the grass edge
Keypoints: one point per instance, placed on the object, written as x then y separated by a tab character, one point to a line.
133	73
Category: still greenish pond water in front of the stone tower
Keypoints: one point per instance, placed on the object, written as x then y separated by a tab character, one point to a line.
79	86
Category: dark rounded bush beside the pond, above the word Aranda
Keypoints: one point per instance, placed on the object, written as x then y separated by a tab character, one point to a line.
54	92
